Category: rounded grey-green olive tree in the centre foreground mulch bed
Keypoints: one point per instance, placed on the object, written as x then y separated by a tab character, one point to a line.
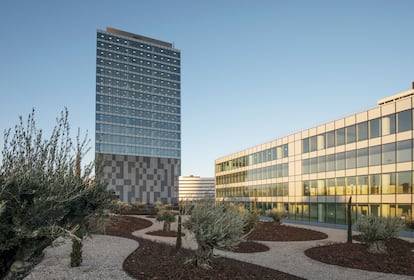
215	226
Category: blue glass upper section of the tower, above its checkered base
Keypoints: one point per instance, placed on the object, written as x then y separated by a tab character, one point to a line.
137	96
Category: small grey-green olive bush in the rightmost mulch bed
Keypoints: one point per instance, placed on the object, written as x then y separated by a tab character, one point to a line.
375	230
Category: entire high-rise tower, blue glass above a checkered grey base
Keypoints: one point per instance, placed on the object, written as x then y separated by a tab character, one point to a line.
138	116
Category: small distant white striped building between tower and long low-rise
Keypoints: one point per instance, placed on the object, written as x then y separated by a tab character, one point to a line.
195	187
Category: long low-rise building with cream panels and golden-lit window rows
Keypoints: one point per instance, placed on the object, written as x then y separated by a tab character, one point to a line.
311	174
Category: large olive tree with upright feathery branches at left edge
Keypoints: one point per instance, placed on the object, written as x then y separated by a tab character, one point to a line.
44	193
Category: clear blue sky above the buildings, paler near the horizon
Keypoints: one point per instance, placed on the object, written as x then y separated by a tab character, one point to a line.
252	71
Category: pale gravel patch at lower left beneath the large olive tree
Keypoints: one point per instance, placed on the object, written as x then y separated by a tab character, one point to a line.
103	256
